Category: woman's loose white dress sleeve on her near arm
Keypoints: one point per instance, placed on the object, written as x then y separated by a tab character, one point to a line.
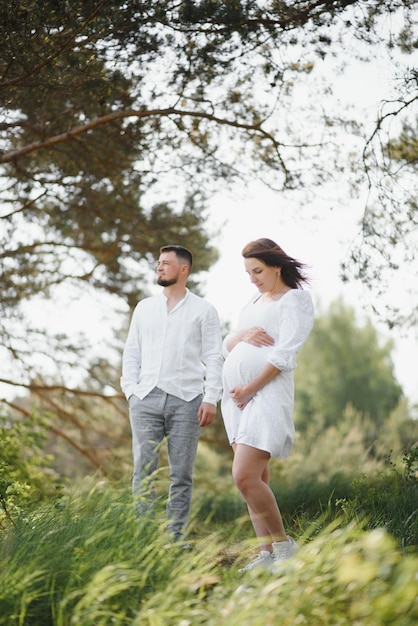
295	318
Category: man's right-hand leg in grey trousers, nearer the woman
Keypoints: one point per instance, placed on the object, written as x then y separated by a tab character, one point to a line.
182	430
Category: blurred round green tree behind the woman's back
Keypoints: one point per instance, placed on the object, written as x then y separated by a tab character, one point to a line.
345	364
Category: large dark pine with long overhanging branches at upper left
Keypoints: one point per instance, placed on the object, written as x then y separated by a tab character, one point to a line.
118	117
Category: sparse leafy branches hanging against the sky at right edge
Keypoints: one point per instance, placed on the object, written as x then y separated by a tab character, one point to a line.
387	239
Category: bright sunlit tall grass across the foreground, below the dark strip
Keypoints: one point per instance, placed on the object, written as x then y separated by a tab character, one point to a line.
84	560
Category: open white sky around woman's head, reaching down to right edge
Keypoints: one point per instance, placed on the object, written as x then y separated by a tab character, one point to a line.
321	242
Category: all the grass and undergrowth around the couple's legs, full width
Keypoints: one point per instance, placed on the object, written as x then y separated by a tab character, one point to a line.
81	558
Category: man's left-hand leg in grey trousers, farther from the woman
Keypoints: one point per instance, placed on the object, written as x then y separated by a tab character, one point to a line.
147	423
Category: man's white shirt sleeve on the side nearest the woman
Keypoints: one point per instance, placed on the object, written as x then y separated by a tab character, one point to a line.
212	356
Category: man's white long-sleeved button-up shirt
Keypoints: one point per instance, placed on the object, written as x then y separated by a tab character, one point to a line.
169	350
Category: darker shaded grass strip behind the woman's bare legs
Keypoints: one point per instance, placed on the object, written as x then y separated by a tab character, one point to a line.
384	498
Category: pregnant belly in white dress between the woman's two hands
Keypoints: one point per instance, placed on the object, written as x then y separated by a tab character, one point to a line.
244	363
